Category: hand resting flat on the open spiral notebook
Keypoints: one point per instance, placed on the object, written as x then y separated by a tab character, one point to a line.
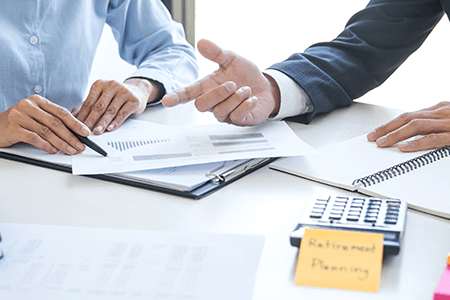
433	123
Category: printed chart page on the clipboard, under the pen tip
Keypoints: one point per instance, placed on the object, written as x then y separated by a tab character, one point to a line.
153	146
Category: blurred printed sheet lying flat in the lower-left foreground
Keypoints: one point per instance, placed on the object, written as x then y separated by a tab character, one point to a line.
43	262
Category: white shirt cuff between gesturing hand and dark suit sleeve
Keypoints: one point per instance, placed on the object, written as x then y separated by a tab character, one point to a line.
294	100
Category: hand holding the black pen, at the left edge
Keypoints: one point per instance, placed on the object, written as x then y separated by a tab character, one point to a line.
41	123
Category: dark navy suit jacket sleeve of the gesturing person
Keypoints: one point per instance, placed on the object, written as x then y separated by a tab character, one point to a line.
374	43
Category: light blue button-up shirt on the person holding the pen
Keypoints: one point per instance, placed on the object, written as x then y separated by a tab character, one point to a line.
47	46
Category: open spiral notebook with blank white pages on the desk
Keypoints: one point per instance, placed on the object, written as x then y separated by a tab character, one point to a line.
419	178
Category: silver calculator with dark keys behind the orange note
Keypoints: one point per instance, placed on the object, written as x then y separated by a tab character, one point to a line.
355	213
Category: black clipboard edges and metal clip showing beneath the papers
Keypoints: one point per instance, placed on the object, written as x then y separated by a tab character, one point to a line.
217	181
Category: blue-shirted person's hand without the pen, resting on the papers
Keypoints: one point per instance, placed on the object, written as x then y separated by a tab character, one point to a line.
110	103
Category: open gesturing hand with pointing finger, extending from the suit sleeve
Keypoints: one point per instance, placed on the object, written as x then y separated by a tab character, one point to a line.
237	93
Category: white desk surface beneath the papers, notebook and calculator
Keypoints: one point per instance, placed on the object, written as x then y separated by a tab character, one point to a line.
267	203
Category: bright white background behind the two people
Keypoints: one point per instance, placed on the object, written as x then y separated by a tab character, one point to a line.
269	31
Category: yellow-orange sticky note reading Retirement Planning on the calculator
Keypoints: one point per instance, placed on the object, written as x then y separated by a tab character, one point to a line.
340	259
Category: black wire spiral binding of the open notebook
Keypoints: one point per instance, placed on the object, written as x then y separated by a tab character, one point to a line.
404	167
